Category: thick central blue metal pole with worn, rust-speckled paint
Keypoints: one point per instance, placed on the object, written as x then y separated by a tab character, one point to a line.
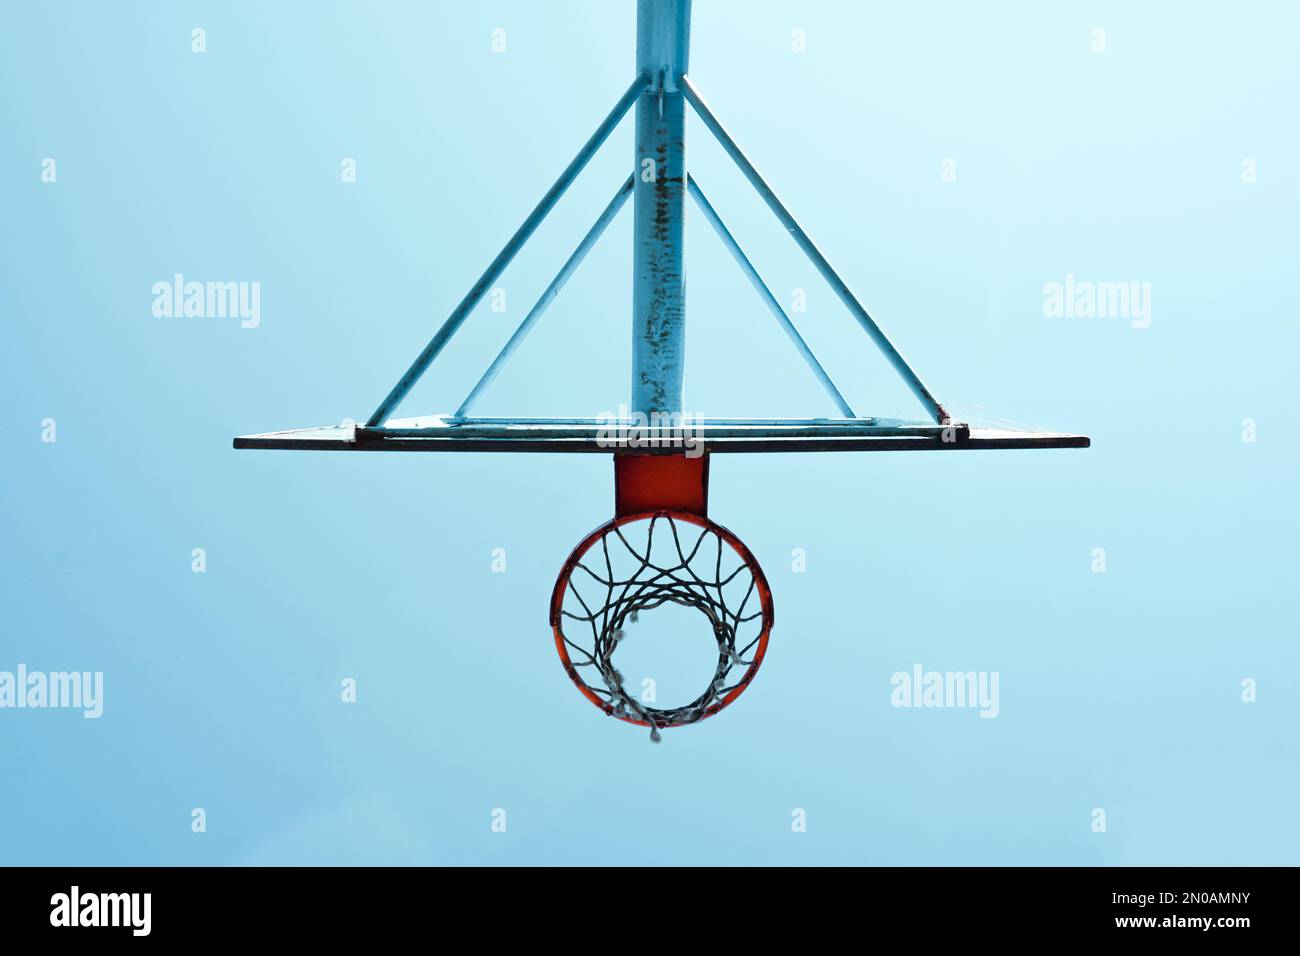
660	204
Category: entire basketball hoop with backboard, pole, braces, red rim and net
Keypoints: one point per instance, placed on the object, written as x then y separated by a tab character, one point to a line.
661	548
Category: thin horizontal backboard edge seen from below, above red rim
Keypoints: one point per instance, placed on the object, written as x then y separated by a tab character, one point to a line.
601	436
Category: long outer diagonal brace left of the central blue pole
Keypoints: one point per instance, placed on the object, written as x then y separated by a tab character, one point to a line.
458	317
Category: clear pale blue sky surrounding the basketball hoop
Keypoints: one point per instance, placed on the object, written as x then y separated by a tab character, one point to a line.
952	159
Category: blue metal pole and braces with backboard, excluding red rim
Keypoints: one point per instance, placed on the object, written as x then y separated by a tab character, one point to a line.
660	92
